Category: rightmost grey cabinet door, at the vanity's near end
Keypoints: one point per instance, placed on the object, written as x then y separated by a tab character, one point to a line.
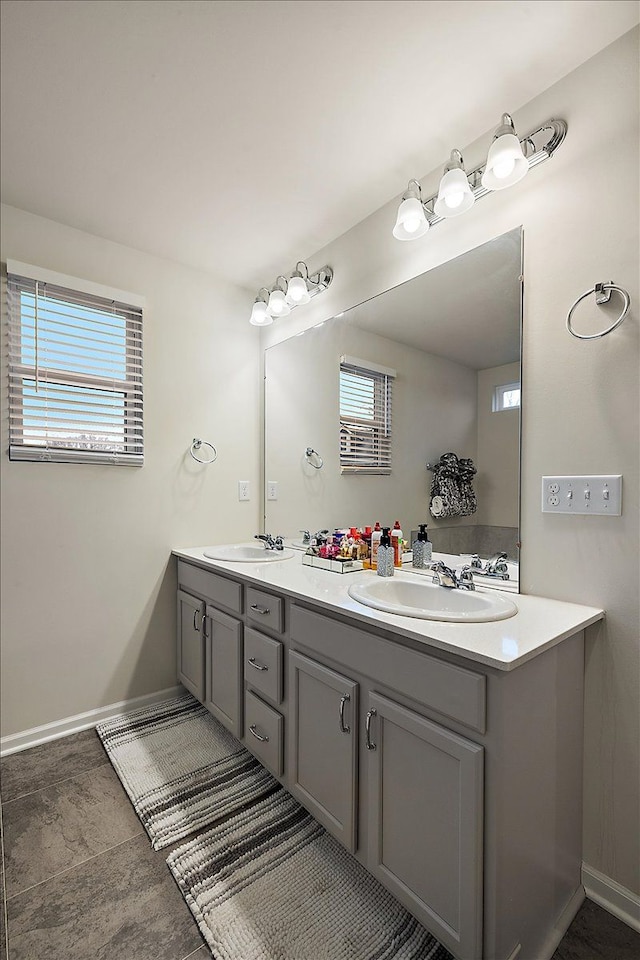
426	810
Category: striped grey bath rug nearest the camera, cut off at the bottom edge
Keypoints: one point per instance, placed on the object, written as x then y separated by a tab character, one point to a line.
272	884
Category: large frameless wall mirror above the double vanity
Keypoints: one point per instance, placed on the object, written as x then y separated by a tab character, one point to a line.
449	342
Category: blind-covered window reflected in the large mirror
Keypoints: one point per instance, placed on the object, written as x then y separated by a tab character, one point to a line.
365	416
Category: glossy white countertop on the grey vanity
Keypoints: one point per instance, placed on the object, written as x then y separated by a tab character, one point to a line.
505	644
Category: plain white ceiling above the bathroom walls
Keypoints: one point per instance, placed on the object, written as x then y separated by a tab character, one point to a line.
239	136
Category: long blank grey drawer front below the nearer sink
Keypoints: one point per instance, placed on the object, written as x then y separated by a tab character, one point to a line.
452	691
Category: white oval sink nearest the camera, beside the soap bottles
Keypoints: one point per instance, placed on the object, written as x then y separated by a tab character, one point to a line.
429	601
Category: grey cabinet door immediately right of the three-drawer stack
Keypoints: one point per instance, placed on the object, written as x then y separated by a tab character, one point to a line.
324	745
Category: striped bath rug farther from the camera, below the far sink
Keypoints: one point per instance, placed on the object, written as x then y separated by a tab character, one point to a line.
181	769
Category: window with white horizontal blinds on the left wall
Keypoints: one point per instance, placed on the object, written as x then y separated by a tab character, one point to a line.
75	371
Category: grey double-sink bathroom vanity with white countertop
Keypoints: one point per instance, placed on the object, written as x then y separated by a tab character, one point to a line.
446	757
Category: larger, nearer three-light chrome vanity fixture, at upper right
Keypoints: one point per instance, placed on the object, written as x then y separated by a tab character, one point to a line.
508	161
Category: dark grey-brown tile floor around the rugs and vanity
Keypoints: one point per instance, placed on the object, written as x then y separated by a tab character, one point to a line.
82	882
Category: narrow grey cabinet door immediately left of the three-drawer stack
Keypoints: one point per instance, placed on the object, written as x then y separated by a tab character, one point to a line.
223	669
